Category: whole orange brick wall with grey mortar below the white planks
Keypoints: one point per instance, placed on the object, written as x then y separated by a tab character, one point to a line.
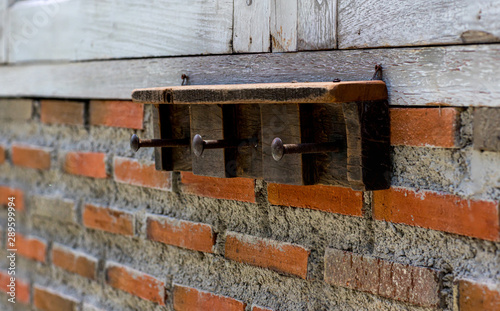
100	229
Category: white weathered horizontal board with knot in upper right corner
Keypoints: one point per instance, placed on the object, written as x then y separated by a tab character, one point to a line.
376	23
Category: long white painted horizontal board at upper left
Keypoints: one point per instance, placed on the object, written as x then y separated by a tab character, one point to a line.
102	29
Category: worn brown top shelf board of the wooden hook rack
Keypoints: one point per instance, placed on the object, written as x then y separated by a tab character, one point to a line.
269	93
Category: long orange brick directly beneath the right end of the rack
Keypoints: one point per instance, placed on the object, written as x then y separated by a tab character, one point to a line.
324	198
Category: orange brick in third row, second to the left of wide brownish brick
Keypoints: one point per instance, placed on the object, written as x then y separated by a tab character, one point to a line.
186	234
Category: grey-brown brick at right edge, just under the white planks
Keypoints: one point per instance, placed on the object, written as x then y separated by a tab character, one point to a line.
487	129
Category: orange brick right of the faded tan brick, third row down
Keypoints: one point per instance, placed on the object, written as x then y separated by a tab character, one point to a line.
107	219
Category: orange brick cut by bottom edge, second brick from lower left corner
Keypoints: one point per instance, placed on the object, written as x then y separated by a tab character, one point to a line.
51	300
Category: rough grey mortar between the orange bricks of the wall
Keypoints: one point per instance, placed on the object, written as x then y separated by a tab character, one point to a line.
463	171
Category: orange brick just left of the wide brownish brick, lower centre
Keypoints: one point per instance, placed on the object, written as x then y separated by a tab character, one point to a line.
278	256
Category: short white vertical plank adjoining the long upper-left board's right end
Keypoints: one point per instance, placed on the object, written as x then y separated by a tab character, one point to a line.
251	26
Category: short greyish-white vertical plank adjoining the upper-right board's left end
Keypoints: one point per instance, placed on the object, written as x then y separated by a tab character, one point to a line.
317	24
